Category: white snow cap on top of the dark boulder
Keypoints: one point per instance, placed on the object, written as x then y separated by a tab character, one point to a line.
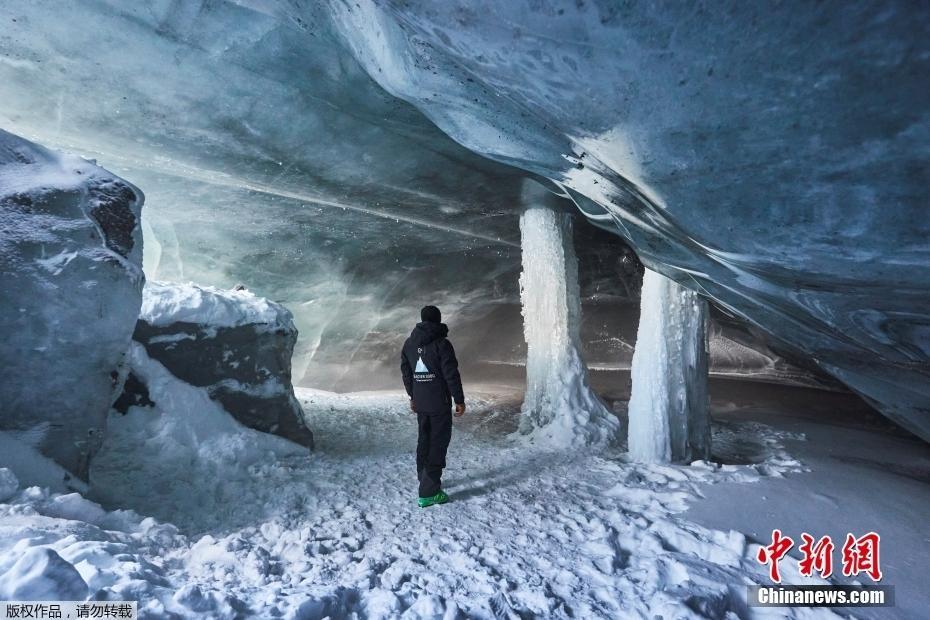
166	303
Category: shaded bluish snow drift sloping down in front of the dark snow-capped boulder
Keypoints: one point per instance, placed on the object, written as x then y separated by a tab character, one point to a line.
183	457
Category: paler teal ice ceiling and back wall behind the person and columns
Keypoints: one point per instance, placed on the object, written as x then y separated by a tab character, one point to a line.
354	216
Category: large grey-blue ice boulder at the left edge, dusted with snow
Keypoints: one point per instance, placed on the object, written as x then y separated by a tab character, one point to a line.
71	282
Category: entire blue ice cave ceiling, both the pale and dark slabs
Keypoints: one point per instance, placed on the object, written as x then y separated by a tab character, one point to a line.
773	158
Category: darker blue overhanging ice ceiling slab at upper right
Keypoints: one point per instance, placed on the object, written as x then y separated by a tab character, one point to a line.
774	160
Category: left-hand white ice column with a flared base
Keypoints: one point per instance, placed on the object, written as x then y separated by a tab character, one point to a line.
559	407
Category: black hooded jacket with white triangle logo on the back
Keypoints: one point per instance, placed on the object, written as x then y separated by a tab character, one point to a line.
430	370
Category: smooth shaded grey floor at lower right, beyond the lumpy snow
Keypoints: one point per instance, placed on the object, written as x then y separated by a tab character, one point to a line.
862	475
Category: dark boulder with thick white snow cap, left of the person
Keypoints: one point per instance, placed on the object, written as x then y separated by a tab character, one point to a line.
233	343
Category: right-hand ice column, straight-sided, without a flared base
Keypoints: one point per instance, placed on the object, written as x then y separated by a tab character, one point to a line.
669	420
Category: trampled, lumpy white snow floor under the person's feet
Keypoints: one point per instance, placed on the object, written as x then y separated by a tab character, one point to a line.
250	525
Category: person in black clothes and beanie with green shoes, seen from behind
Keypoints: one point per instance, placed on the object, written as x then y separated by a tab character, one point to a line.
431	377
